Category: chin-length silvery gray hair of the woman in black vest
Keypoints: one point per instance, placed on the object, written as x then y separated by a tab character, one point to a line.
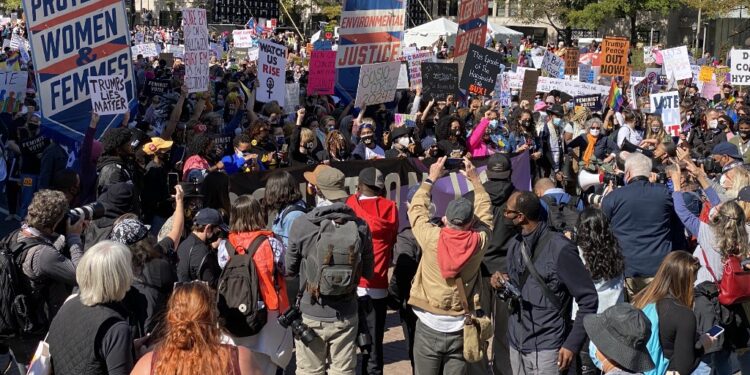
104	273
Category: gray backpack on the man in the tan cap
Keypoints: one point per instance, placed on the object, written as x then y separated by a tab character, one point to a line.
338	253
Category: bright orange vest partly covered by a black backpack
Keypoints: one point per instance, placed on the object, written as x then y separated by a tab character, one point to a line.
270	282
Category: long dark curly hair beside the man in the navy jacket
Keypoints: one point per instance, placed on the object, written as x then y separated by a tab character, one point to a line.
601	253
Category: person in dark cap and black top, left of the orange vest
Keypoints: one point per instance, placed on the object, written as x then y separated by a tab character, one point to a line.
197	254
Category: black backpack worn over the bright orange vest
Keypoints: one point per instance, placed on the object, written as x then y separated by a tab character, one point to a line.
240	304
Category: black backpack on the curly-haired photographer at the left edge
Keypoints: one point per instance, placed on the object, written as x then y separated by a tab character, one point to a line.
18	303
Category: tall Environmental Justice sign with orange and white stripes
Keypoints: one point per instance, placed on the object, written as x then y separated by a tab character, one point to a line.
370	32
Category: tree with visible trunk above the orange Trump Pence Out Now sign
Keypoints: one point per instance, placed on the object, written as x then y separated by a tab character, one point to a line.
596	14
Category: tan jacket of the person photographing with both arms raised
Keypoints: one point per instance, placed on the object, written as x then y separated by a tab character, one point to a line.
429	290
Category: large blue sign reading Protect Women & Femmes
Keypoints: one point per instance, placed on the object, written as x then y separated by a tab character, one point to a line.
70	41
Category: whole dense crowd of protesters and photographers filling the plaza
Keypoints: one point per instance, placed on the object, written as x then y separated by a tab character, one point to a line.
613	262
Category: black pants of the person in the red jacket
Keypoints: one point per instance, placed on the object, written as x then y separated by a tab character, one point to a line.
372	312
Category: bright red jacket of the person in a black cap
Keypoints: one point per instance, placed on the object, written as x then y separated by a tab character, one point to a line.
381	215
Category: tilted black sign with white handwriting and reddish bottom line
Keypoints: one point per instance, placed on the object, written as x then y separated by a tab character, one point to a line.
480	71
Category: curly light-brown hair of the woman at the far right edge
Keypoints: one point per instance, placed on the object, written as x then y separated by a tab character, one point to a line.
728	226
